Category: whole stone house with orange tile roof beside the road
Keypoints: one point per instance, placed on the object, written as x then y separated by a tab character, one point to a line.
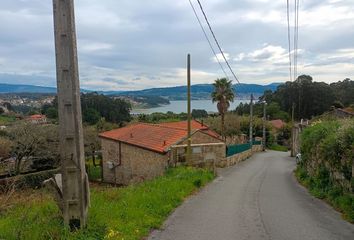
143	151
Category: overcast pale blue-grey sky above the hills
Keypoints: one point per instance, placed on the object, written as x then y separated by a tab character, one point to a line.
131	45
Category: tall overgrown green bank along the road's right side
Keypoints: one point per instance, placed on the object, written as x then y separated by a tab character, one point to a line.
327	149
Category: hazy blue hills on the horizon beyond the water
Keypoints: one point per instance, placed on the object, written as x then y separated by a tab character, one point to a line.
199	91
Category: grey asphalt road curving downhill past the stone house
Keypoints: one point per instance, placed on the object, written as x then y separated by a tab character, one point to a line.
257	199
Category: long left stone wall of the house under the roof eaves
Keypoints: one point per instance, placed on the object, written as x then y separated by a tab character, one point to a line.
126	164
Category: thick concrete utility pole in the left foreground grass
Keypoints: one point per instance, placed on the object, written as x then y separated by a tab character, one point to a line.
75	188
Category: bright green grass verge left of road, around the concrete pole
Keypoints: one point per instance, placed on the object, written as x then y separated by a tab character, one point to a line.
115	213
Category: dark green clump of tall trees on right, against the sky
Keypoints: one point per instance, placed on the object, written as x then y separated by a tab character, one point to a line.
309	98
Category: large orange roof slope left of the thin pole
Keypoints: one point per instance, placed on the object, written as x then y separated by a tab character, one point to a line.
153	137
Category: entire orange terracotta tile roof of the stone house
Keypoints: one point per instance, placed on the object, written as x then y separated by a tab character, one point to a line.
155	137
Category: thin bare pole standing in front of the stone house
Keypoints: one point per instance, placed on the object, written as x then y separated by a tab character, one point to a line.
189	150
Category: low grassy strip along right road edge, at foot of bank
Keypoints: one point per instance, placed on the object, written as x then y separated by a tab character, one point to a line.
332	194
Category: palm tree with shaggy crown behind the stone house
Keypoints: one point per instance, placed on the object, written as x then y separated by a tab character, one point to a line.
223	94
